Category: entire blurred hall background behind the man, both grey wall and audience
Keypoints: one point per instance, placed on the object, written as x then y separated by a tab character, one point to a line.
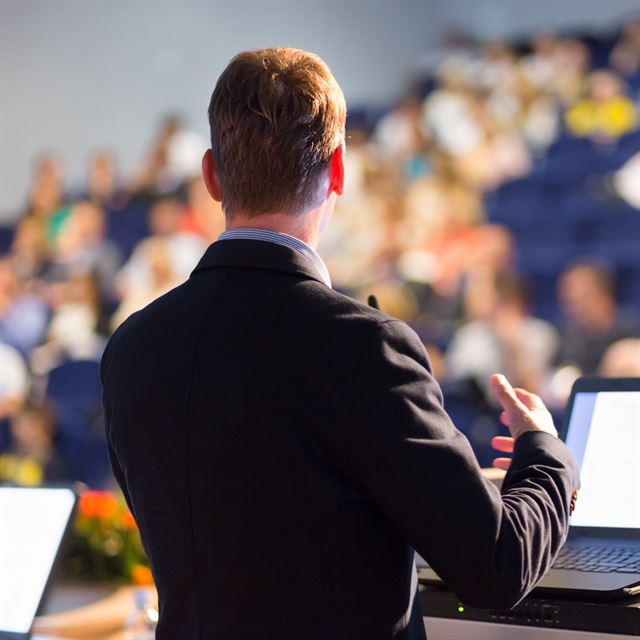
492	199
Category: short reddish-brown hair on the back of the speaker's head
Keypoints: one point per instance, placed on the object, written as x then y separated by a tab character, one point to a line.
276	117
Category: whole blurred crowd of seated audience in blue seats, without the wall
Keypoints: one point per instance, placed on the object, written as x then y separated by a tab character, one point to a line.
500	165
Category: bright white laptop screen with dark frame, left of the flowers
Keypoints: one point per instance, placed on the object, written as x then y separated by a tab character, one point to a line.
34	522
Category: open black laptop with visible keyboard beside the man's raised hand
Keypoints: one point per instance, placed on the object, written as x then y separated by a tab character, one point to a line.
601	558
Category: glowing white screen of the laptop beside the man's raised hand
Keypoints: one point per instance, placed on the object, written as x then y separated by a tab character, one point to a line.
604	435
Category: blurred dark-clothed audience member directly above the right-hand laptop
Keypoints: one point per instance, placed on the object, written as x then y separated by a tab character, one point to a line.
592	319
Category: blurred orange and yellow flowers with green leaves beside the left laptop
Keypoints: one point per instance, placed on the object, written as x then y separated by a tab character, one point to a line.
106	544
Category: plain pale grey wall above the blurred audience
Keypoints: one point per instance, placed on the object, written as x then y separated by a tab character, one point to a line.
75	75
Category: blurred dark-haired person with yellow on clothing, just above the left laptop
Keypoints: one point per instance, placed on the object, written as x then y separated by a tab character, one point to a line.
32	458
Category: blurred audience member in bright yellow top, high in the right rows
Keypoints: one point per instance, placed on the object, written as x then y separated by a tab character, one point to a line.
606	112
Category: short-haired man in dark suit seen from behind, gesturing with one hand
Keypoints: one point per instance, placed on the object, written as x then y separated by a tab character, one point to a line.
284	448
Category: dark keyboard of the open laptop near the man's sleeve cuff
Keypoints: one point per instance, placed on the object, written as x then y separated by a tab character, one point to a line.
599	559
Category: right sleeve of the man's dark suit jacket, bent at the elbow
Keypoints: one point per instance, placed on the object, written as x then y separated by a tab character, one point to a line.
490	547
